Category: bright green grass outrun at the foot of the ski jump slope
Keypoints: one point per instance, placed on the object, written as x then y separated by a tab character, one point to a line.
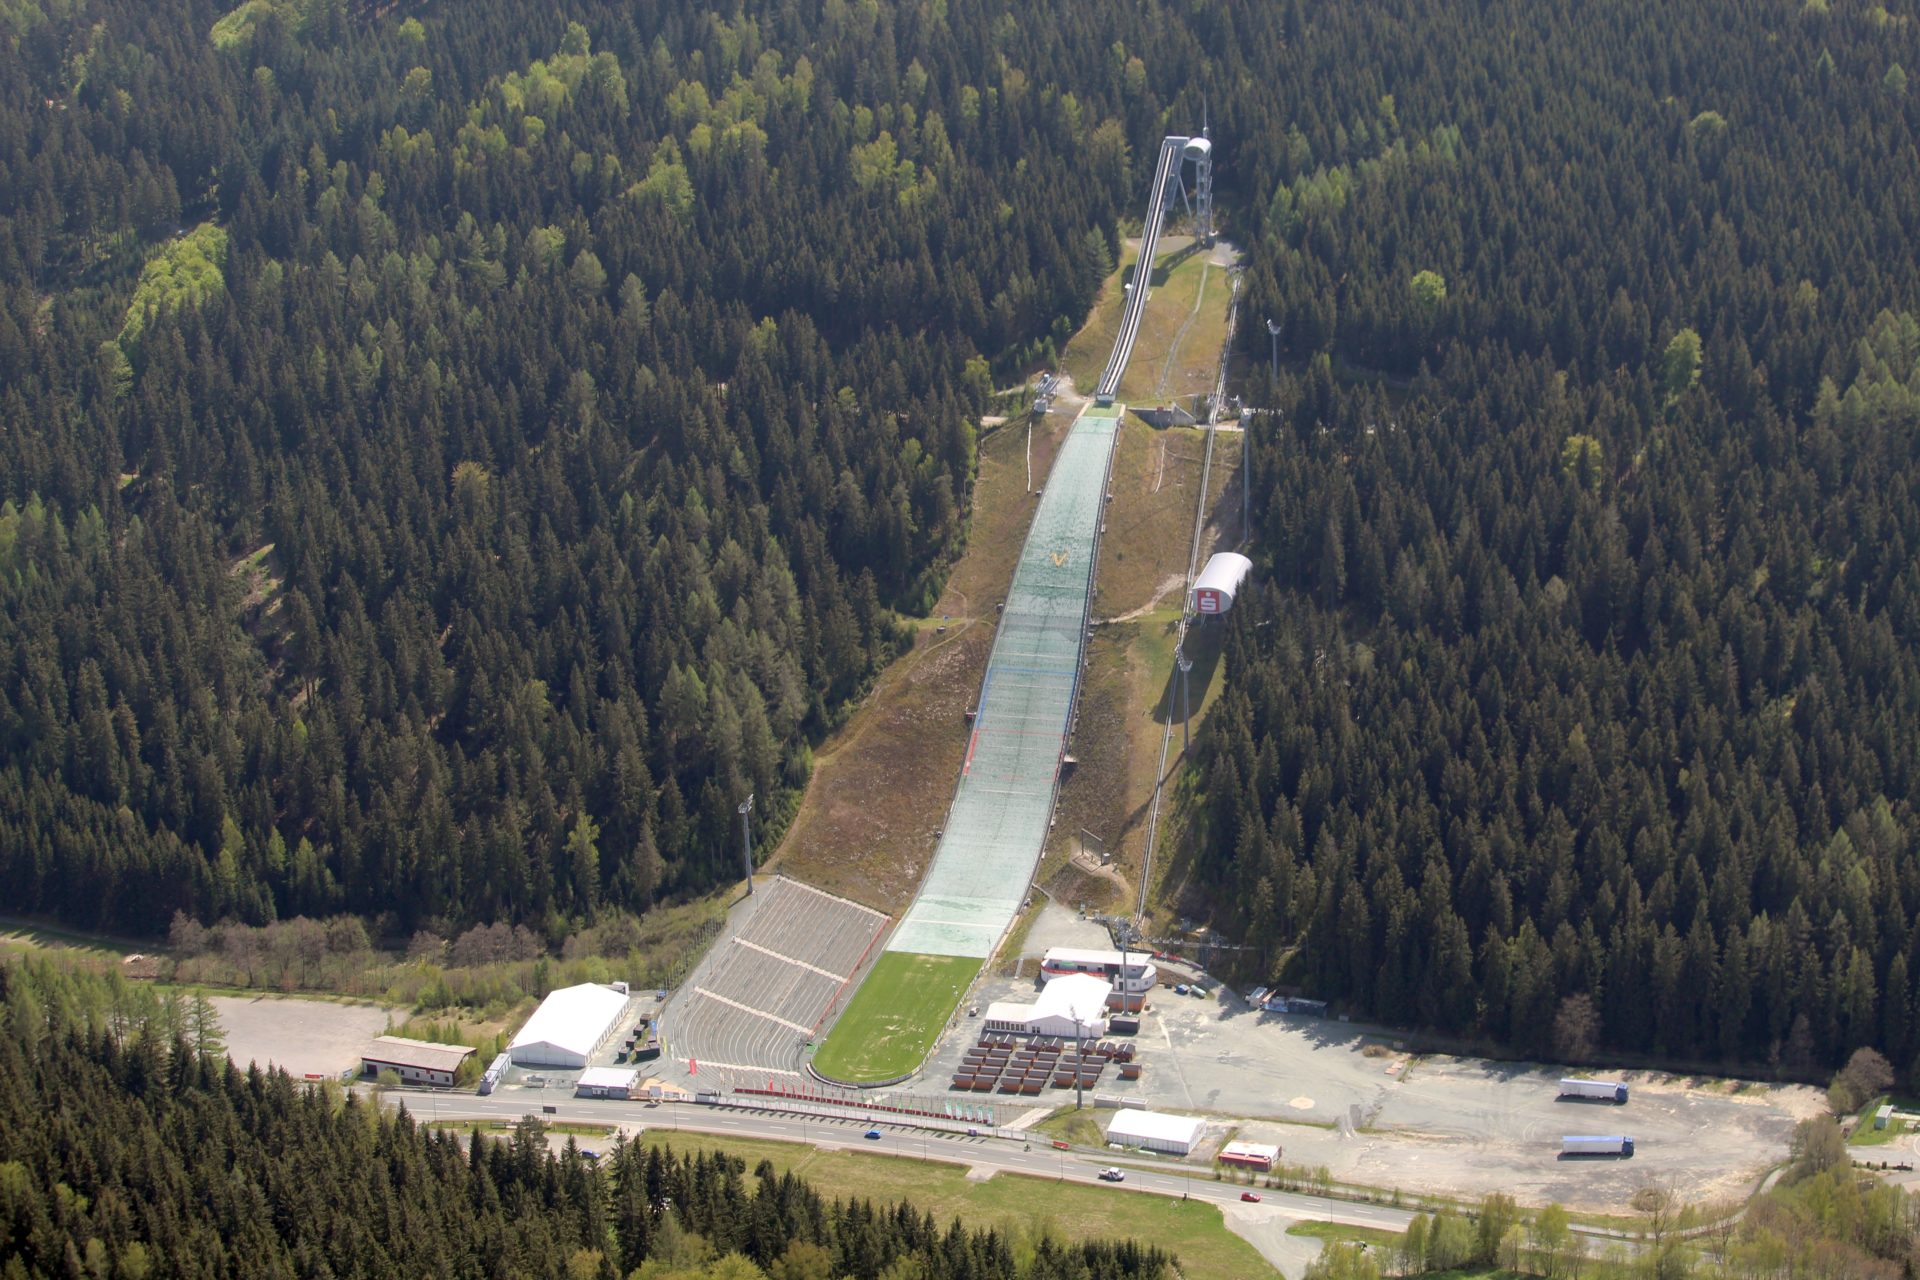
892	1022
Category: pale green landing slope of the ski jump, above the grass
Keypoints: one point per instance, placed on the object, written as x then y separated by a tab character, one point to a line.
1005	799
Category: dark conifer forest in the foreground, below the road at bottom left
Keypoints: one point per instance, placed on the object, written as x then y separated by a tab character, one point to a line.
128	1154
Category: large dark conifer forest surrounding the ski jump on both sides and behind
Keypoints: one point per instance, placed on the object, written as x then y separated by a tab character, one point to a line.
454	454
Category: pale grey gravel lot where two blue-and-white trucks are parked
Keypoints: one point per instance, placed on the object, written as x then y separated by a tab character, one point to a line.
1449	1126
